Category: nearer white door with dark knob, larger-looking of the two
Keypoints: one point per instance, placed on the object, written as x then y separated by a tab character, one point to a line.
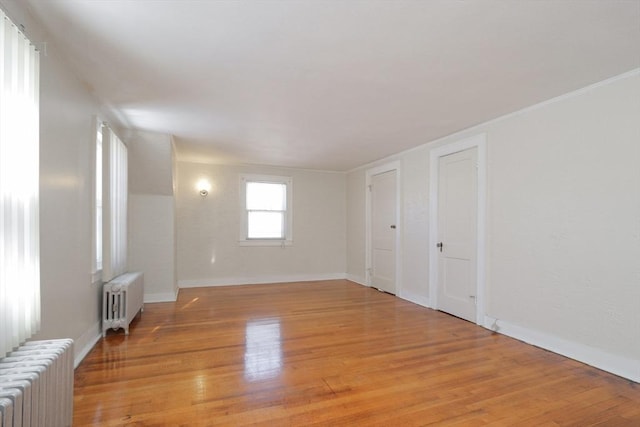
457	234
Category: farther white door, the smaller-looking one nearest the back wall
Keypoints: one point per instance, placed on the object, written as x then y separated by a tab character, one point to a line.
383	231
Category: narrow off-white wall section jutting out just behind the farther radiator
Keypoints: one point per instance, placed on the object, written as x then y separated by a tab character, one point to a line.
152	214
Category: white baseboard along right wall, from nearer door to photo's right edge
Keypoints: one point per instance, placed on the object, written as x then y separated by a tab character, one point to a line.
619	365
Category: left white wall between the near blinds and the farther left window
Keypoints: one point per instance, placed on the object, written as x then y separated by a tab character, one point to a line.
70	303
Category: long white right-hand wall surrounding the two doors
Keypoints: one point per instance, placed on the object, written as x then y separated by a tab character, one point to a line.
563	224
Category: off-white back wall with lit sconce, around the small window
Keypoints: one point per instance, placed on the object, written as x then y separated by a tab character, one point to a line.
208	228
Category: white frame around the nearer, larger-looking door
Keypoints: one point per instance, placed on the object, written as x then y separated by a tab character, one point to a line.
479	142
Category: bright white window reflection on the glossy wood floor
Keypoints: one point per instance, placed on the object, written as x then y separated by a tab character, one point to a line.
263	349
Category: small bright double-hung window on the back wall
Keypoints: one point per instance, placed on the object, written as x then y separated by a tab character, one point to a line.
266	210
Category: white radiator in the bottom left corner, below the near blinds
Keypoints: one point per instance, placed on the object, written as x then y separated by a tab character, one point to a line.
36	385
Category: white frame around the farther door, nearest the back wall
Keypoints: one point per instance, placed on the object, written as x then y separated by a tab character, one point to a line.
387	167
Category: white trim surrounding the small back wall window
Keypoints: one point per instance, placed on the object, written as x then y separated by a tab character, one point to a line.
274	179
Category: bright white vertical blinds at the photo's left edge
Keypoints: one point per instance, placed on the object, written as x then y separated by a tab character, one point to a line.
19	182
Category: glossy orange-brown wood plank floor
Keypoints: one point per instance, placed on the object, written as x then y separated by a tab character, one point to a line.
332	353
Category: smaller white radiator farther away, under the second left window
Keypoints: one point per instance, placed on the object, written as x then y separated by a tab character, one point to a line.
122	300
